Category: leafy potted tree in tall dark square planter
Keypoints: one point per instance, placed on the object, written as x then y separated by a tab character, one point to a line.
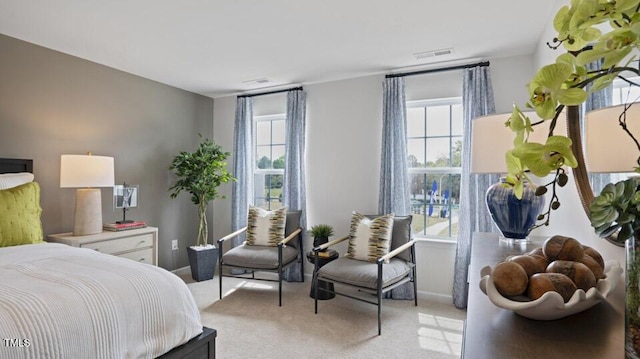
200	173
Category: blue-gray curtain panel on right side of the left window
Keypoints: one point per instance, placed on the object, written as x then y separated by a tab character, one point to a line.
294	189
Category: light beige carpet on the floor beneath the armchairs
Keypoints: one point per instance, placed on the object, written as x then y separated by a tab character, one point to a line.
250	323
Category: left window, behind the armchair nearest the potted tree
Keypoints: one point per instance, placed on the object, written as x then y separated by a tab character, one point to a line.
269	154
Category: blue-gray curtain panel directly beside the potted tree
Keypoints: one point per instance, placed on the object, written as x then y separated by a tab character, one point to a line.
243	162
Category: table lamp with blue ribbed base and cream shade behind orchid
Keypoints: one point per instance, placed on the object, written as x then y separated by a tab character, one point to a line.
490	140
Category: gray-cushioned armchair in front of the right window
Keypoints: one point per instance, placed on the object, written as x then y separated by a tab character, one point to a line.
388	272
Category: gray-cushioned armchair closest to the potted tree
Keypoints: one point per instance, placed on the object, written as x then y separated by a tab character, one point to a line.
259	258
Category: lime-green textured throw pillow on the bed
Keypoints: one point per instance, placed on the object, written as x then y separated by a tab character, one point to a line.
20	215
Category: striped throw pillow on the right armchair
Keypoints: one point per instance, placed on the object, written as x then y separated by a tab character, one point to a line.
369	239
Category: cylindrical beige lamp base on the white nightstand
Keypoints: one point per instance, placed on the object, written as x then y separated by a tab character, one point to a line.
88	212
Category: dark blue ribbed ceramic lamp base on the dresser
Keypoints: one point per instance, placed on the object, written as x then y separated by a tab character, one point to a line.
514	217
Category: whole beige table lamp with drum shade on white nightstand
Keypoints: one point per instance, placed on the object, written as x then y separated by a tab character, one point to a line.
85	172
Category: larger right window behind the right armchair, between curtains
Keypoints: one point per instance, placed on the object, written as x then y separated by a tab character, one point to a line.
434	143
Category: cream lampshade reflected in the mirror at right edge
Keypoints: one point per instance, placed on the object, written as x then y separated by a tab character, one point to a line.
608	148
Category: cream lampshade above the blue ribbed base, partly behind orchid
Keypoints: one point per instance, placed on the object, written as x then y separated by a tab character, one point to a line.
491	139
